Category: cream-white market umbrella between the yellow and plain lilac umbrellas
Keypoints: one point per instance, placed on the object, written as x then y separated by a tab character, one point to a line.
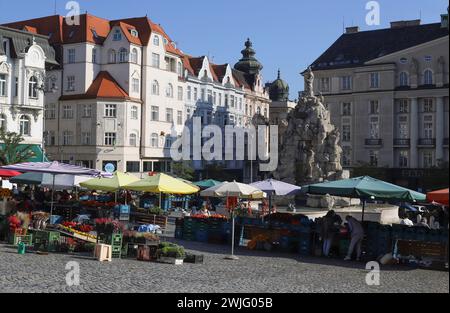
234	189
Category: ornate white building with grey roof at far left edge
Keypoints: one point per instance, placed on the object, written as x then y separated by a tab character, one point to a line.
24	58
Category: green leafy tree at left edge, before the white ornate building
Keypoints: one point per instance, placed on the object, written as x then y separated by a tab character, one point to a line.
13	152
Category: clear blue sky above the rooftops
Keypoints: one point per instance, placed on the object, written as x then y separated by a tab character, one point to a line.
286	34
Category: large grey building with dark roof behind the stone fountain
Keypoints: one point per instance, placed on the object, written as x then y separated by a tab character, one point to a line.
387	92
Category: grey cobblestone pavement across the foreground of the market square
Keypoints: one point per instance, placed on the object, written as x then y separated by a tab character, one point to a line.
254	272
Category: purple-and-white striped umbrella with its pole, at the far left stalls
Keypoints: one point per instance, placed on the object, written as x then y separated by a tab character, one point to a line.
54	168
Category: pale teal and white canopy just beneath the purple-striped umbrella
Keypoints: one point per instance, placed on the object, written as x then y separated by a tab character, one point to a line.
46	180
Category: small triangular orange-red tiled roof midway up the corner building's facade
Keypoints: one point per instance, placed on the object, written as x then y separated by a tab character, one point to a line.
104	86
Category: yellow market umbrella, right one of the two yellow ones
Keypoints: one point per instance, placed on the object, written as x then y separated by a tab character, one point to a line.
163	183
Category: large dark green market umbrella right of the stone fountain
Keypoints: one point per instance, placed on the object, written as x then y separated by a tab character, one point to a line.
364	187
